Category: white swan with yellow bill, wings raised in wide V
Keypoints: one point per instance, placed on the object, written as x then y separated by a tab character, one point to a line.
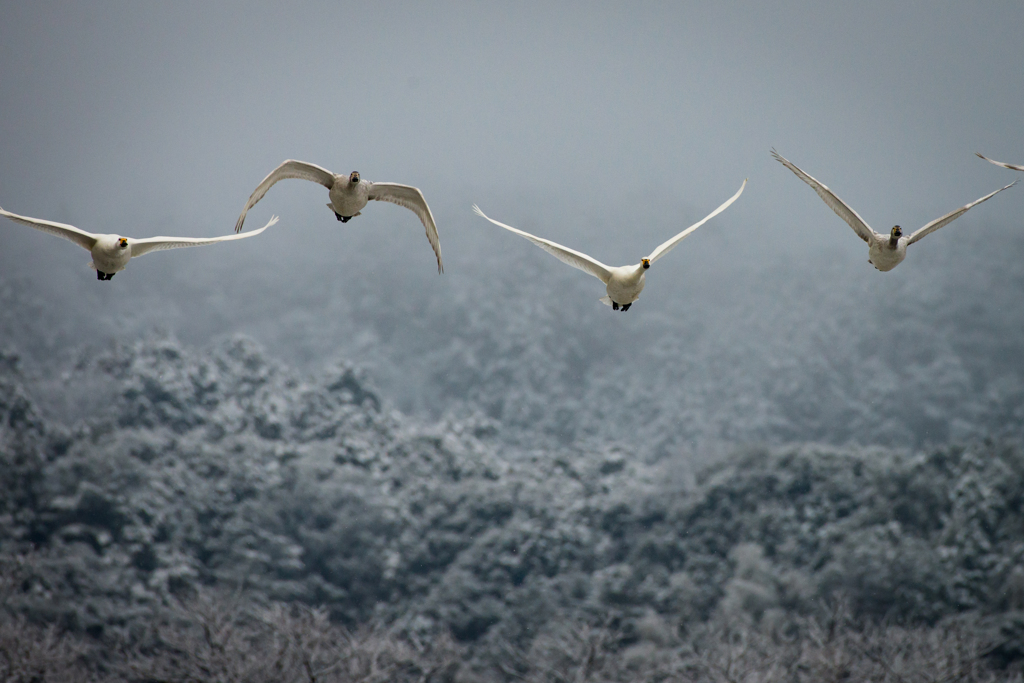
625	283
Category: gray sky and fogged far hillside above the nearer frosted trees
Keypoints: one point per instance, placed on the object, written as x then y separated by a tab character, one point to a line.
602	126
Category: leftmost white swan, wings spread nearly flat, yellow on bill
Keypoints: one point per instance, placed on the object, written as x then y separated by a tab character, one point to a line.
112	252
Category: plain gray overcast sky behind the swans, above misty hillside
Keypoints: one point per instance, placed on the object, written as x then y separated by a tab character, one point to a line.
607	126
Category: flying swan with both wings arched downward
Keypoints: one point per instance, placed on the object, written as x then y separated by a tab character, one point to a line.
350	195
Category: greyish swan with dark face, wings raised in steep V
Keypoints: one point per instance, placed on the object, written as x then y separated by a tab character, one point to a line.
885	253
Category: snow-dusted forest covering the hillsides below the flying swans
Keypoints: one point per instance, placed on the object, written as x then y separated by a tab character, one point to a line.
516	527
